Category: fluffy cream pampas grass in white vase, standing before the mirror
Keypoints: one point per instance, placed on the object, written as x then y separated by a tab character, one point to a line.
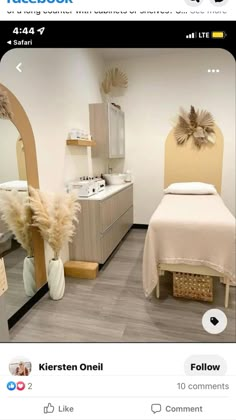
55	216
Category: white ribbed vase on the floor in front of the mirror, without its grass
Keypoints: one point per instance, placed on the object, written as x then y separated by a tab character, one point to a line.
56	279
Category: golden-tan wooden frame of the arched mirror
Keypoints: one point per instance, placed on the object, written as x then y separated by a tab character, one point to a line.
22	123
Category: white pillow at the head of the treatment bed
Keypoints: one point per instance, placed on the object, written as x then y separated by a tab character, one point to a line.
190	188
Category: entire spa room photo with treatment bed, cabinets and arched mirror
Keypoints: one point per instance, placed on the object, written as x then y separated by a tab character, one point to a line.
117	195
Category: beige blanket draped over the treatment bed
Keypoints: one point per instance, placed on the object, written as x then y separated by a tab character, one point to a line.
189	229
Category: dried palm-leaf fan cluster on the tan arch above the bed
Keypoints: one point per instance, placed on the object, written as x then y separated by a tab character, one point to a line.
196	124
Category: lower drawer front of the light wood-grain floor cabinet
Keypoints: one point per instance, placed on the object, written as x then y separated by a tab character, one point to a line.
111	238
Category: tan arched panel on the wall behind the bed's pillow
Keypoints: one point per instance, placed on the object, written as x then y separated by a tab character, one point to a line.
187	163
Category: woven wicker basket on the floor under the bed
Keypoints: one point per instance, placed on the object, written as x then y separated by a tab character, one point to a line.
193	286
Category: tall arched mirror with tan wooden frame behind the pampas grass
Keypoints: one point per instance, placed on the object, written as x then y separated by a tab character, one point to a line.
18	170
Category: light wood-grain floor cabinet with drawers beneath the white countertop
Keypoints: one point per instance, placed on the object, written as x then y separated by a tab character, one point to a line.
102	225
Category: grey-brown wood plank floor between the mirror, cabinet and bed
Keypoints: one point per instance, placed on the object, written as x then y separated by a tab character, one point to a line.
113	308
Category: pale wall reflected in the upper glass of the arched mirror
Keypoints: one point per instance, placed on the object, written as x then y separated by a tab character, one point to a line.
8	159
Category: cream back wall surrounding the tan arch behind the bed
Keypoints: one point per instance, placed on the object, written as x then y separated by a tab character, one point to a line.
158	84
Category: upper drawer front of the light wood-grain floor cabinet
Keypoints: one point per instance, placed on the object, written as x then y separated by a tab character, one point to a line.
112	208
